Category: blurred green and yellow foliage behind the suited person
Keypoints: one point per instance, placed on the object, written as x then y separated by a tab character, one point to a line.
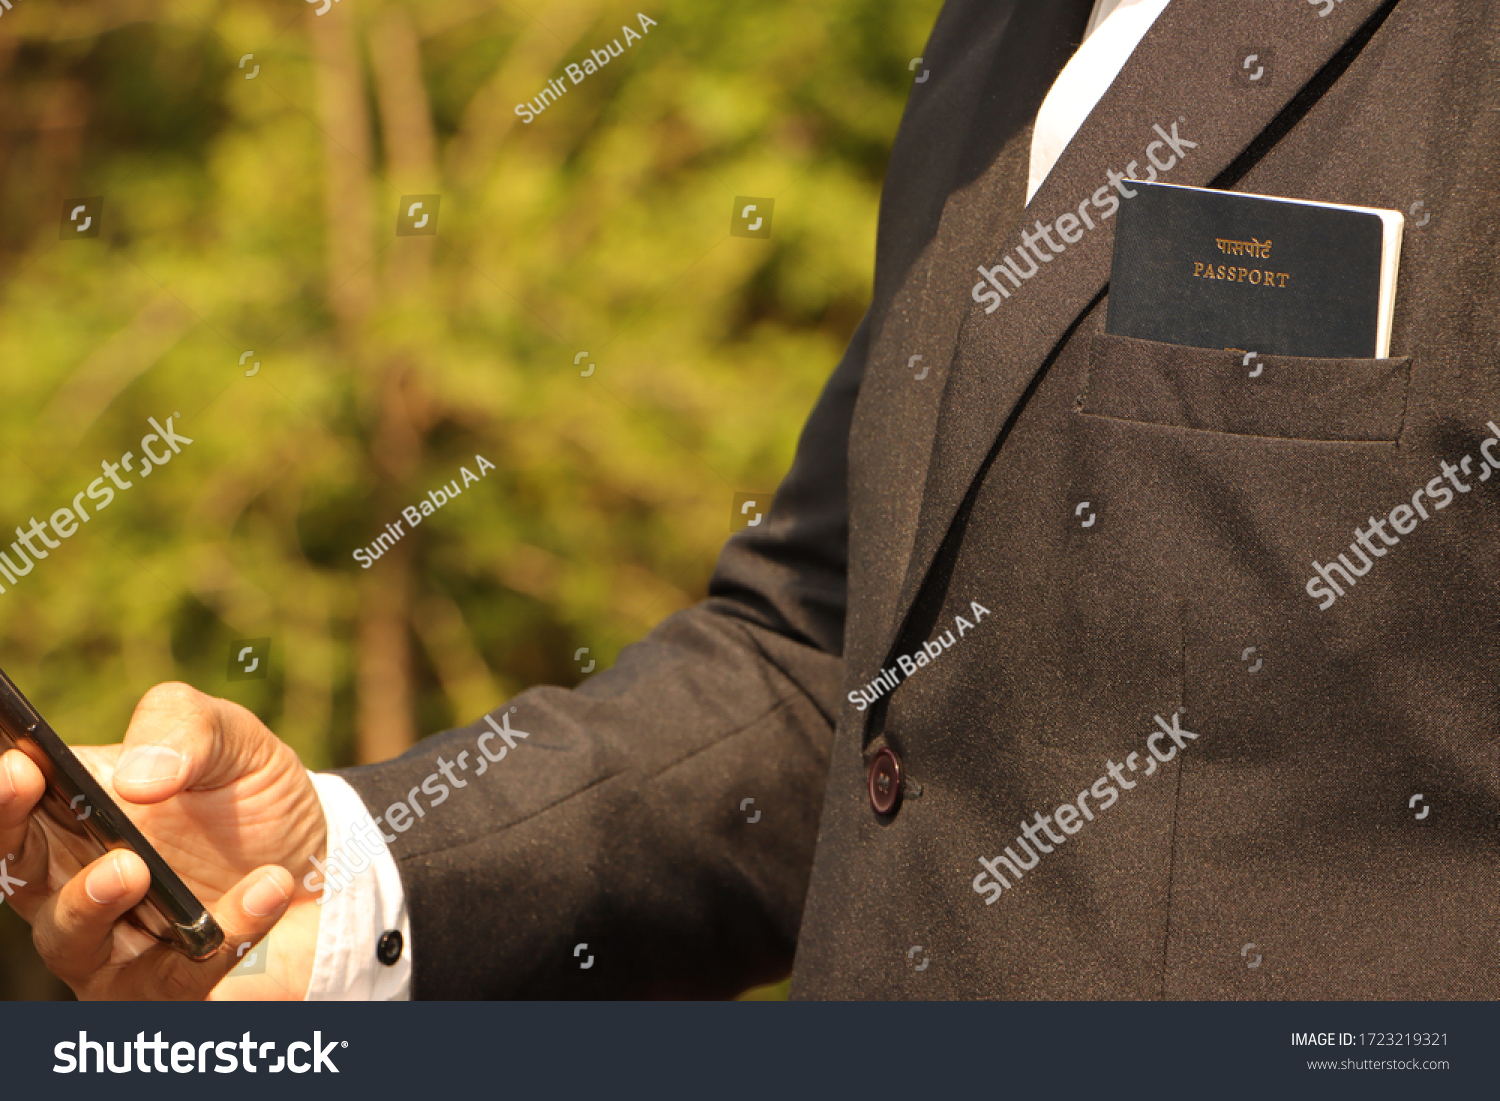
256	211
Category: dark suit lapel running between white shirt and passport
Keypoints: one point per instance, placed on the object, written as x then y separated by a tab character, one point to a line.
1181	86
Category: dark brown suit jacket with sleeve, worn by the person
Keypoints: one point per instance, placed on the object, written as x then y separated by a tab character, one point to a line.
1288	824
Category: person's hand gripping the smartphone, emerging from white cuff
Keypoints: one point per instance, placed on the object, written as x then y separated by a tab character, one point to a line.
227	805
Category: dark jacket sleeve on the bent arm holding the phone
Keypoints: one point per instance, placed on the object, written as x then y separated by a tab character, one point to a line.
617	821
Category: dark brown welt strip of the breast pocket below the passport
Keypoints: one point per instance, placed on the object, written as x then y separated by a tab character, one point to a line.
1270	397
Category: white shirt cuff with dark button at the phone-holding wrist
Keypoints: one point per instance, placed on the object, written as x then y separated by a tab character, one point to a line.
362	902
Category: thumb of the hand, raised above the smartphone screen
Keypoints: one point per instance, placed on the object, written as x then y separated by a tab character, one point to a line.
182	739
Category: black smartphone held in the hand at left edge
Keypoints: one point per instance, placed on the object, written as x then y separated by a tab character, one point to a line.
82	824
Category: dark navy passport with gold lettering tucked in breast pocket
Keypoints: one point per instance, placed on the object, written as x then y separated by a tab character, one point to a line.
1219	269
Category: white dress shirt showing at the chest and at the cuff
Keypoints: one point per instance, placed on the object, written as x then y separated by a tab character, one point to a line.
374	904
